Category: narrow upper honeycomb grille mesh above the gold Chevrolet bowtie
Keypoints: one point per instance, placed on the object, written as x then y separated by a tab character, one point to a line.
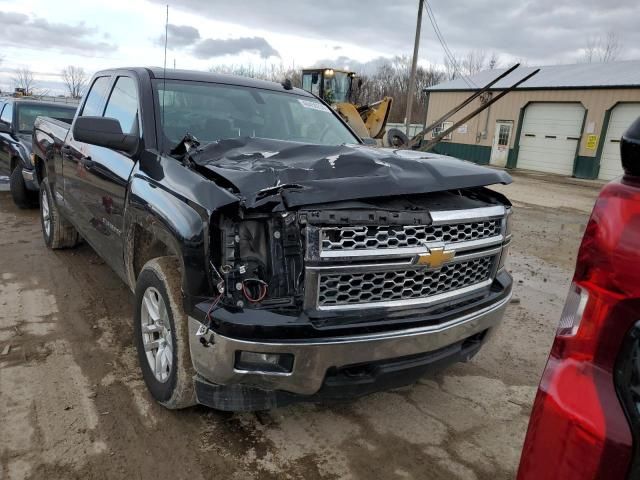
385	237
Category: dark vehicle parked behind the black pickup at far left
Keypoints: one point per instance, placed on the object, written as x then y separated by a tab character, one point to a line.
16	125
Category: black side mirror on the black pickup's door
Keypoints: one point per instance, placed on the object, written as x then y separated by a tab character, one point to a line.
104	132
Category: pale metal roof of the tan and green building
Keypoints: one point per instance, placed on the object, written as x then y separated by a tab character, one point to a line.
580	75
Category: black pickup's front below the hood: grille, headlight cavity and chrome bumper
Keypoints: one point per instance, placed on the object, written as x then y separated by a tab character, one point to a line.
343	299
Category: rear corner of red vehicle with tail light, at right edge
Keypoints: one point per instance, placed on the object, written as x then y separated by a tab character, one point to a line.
585	422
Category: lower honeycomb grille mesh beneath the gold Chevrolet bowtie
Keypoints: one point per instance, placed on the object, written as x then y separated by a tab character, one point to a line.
341	289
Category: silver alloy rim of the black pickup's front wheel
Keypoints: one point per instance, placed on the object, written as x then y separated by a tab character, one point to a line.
156	334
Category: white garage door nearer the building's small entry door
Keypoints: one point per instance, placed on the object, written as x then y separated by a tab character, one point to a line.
550	136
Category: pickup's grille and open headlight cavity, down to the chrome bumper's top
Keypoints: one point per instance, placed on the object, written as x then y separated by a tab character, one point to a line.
357	265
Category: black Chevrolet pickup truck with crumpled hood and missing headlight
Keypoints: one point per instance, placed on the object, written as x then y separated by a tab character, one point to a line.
274	258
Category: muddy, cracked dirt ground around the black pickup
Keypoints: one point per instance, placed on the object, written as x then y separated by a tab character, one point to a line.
73	404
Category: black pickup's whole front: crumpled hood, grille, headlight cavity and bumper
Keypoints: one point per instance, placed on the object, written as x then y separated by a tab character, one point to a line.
342	271
